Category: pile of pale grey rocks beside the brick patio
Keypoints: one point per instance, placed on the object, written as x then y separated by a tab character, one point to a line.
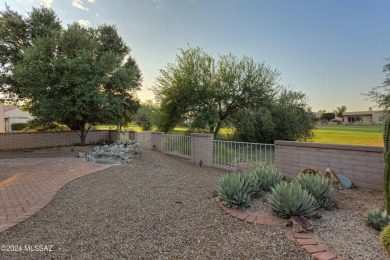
118	152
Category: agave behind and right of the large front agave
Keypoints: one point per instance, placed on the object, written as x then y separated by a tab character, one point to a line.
318	186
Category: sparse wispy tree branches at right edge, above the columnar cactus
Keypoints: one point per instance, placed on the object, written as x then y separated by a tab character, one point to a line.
381	94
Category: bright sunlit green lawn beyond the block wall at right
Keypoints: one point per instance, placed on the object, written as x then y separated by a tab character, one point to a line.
345	134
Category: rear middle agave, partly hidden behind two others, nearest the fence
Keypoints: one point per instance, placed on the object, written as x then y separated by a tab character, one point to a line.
267	176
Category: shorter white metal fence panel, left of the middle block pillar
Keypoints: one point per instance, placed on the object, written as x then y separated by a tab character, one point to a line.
177	144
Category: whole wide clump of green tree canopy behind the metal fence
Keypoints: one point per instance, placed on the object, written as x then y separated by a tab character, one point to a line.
207	94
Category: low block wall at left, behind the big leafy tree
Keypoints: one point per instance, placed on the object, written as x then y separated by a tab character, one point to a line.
22	140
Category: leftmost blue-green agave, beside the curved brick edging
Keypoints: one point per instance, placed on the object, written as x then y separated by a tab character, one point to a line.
235	190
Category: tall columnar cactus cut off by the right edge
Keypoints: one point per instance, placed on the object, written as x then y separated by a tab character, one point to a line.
386	175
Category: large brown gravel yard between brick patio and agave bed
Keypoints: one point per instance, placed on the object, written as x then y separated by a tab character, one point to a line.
158	207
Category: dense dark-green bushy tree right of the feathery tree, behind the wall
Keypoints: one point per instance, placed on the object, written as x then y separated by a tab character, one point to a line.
288	118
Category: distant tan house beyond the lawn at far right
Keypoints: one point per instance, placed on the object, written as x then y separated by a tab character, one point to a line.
369	117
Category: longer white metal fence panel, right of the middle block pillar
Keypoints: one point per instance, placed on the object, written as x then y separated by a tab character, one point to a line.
235	154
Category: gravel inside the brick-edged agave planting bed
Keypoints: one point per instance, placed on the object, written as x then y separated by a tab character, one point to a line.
344	230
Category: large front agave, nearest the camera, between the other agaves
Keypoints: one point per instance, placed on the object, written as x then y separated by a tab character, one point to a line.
289	199
